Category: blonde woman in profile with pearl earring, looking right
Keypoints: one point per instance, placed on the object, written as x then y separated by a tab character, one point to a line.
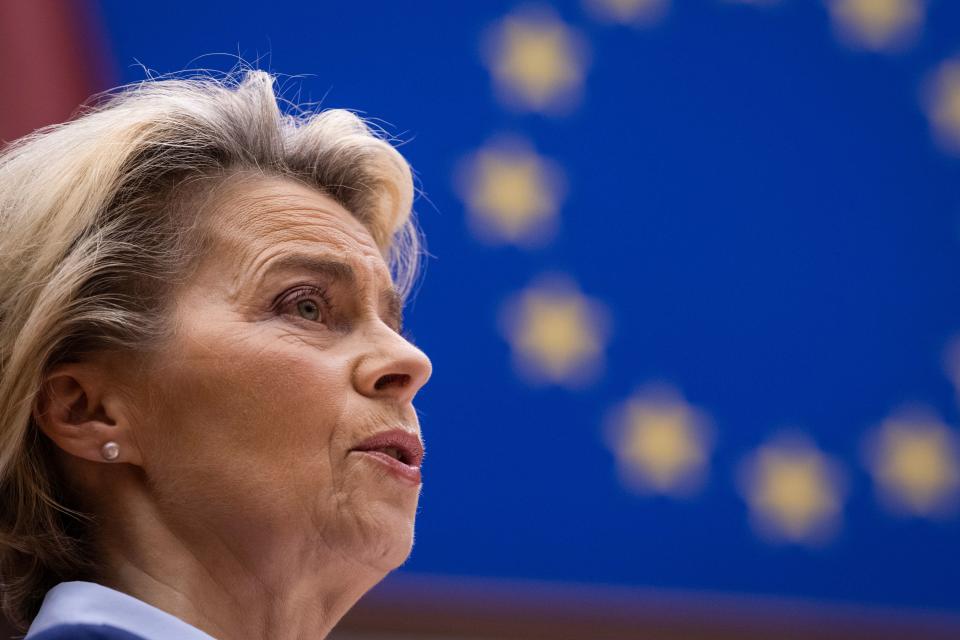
206	418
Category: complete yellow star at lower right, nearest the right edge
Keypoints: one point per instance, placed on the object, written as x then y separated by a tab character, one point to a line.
915	463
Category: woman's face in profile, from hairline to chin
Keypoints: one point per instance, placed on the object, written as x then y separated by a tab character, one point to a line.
287	356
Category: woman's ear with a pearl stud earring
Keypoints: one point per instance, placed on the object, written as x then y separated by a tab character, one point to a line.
81	411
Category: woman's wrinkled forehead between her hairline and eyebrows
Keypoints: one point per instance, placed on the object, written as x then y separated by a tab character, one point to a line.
257	221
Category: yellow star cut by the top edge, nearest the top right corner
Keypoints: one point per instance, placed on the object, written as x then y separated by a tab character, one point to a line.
876	24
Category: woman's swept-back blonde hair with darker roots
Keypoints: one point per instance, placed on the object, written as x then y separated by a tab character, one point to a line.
93	231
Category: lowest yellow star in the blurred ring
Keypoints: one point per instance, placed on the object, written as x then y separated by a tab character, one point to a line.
793	491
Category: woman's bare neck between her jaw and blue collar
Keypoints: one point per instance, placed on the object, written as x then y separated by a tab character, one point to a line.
243	585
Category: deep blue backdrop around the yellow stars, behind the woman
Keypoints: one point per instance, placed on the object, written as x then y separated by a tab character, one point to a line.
762	209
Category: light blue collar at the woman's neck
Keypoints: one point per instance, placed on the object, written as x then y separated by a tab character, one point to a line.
81	602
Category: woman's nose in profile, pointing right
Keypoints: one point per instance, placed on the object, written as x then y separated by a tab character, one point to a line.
394	368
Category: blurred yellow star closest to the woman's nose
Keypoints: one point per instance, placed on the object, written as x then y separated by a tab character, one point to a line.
557	334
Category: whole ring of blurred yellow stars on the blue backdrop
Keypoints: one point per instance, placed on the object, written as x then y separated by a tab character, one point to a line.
661	444
